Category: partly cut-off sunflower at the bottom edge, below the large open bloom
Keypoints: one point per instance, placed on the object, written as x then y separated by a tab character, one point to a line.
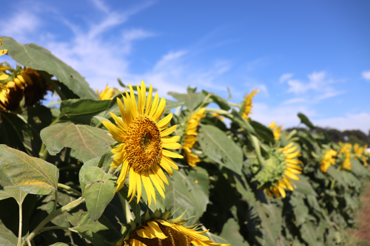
161	232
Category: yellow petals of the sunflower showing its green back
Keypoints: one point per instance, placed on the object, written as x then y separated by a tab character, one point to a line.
291	168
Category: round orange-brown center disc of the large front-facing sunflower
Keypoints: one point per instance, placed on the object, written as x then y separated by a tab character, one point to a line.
143	144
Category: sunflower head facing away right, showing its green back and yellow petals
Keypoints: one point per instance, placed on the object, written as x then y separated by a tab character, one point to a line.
277	172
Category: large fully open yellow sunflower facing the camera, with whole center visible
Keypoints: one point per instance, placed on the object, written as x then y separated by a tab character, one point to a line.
143	141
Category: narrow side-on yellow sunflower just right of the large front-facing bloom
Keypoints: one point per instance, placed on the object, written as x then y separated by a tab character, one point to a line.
191	133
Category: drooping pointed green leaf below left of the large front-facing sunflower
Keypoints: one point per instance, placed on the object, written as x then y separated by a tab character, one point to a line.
98	192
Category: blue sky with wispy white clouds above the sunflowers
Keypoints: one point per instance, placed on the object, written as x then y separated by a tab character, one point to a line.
305	56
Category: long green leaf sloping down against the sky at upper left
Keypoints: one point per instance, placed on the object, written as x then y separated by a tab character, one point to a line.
37	57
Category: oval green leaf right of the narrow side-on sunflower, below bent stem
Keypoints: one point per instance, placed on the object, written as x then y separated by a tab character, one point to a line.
217	146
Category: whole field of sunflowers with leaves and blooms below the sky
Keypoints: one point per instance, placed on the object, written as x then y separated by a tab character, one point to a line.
126	167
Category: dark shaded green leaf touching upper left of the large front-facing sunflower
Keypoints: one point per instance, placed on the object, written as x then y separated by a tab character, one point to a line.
82	110
